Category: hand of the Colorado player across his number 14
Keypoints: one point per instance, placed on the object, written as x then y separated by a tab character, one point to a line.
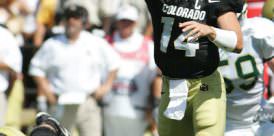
197	30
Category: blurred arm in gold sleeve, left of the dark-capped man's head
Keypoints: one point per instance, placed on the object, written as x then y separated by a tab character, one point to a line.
45	20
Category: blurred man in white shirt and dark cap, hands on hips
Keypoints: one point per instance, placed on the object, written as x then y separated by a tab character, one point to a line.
70	66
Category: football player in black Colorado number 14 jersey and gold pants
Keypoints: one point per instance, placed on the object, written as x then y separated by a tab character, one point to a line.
187	34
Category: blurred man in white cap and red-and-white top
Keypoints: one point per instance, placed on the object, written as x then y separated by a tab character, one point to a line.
126	105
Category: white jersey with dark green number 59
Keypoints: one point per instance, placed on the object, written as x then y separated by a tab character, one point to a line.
243	72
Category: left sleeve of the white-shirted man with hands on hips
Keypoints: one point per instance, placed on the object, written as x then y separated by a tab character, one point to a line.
39	63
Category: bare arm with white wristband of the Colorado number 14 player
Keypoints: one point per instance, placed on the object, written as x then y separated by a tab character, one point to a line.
228	36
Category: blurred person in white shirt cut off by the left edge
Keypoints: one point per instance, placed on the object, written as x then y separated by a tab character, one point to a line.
10	64
